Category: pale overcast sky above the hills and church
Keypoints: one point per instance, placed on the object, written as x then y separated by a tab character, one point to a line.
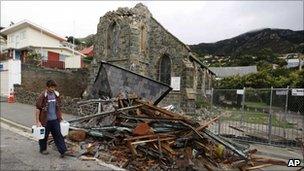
192	21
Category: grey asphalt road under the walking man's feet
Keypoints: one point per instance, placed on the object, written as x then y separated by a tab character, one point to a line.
21	153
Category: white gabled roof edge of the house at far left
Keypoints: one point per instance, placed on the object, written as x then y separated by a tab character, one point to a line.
25	23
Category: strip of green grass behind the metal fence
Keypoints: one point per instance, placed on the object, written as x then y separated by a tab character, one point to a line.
257	118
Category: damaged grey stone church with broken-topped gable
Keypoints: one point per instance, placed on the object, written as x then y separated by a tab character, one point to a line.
134	40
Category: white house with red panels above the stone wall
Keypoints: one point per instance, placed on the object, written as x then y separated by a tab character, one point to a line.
25	37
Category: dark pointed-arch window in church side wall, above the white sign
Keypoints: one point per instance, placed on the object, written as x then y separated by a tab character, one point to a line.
165	69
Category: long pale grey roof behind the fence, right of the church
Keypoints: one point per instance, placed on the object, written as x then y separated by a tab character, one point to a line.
223	72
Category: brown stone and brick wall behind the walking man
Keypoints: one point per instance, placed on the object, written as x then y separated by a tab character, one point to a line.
71	85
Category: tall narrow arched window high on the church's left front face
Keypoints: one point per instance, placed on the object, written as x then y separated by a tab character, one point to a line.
113	39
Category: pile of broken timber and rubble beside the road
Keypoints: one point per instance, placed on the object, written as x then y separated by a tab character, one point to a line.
137	135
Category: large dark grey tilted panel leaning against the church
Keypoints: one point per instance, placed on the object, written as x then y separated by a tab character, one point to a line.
113	80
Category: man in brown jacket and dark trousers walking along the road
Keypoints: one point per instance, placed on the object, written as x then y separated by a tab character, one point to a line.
48	115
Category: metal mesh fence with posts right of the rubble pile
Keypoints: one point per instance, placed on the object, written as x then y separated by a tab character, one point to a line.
274	116
